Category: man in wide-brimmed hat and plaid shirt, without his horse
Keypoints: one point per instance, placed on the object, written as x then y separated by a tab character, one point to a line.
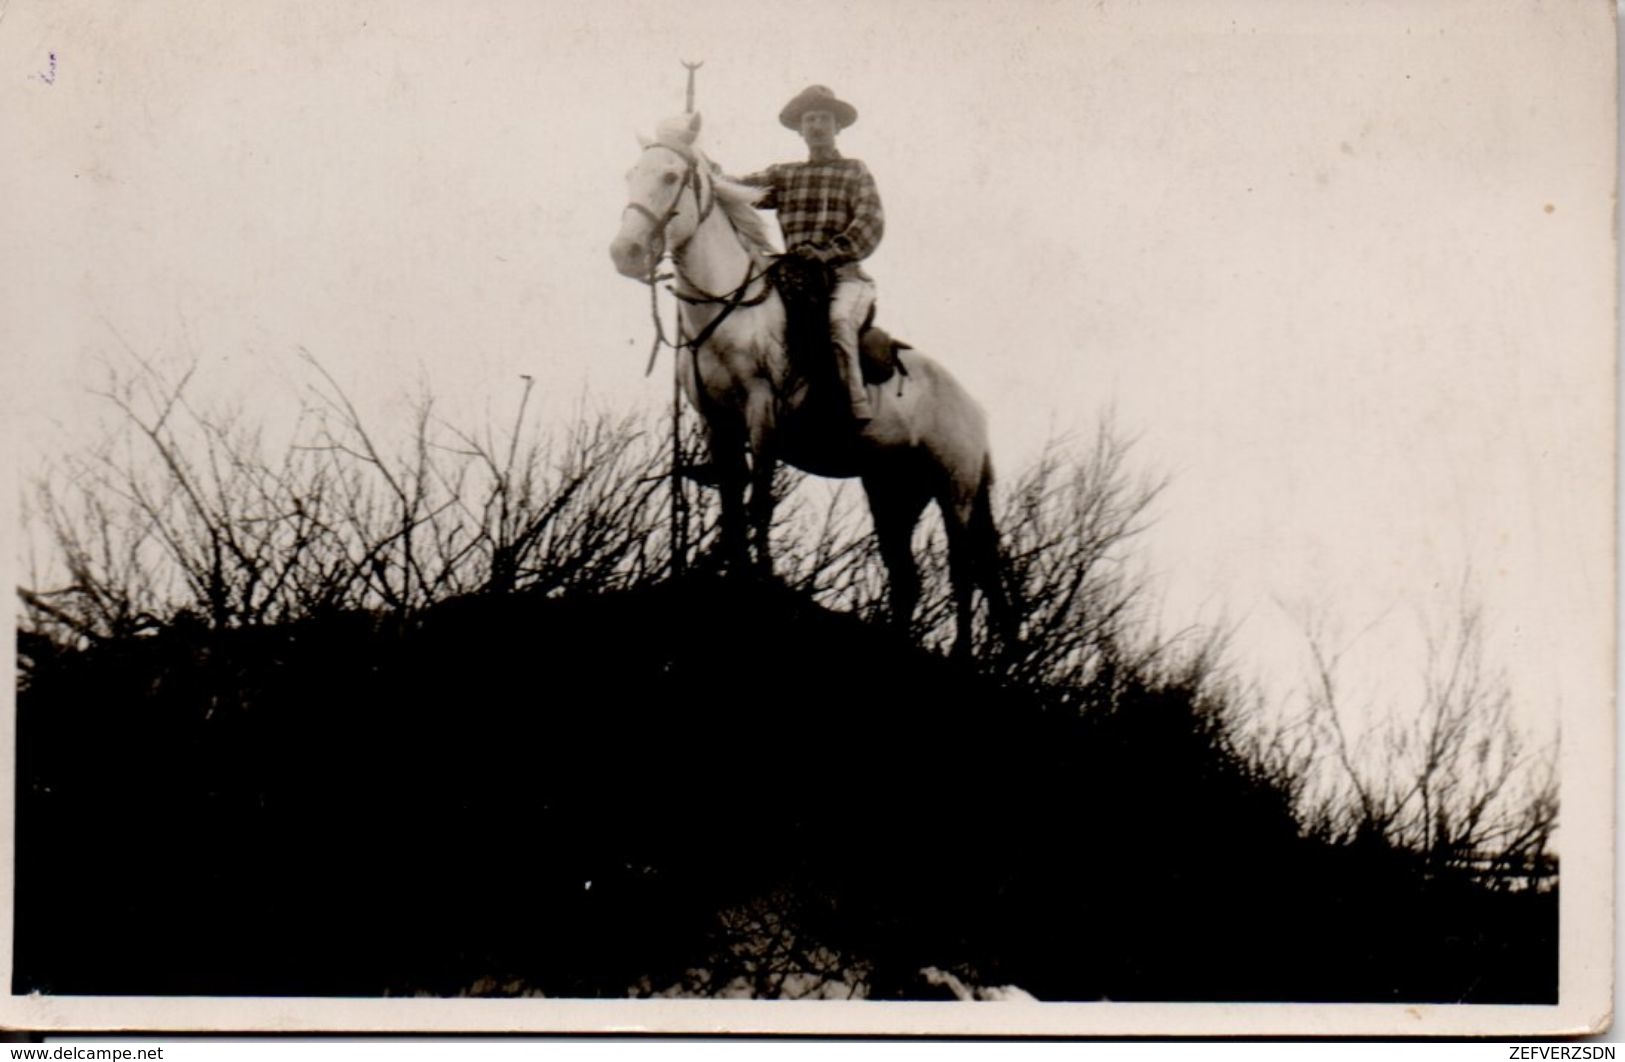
830	212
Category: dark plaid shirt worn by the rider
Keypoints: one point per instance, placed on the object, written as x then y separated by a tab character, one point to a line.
828	202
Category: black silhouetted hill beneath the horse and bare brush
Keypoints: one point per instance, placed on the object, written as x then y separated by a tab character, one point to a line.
690	785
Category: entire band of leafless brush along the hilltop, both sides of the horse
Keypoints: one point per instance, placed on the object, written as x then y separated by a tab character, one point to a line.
188	517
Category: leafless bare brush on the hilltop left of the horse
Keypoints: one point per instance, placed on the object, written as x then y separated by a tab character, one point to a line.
184	514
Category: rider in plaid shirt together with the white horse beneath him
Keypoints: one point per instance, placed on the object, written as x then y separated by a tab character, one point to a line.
740	376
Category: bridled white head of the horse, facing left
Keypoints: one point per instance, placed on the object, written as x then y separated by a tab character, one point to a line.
669	194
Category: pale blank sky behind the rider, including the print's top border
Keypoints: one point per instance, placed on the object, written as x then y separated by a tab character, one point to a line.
1345	270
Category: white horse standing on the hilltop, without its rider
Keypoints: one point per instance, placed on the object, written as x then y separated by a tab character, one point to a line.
929	438
